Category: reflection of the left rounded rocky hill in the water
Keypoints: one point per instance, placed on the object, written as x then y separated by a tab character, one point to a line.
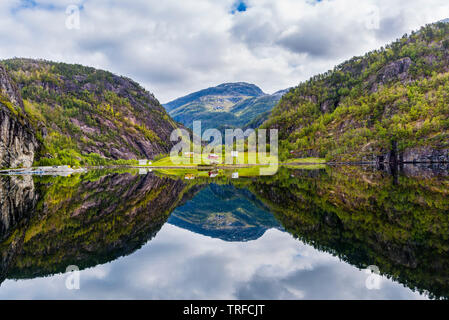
91	220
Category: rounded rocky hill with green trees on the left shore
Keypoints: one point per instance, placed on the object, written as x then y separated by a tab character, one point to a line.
81	115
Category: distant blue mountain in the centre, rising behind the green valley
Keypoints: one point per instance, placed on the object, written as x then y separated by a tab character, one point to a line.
225	106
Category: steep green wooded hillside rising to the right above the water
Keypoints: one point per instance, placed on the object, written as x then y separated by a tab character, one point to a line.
391	105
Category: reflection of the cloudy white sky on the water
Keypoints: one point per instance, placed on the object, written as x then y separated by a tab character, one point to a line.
276	266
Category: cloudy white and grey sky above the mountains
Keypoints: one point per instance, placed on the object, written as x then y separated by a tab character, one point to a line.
174	47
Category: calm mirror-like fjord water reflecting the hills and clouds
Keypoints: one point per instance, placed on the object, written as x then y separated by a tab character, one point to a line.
300	234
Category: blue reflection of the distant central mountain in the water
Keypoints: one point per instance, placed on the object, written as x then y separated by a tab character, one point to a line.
224	212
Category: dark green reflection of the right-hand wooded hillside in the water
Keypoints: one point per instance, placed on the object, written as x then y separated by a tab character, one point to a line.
367	217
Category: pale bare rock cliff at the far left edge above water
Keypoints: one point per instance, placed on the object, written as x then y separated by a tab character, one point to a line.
18	144
